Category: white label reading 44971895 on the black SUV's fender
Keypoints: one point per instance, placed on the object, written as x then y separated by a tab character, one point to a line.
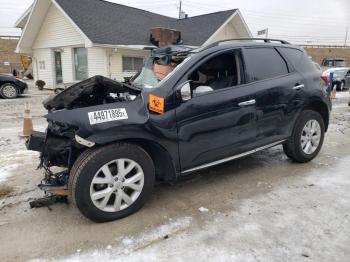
108	115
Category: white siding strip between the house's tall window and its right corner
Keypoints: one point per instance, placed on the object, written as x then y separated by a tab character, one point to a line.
97	61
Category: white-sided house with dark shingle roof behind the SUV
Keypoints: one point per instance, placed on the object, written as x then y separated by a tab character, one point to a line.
72	40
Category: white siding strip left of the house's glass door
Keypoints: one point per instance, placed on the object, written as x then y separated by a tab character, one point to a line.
45	74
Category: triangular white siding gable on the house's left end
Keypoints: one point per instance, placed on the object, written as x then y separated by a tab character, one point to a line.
56	31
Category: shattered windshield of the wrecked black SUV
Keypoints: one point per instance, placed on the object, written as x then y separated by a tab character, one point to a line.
153	74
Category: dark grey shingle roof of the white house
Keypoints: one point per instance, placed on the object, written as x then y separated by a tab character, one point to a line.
114	24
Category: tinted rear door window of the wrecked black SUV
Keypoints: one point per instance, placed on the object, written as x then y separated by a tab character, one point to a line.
265	63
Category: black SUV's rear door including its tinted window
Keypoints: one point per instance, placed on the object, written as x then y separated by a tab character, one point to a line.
278	96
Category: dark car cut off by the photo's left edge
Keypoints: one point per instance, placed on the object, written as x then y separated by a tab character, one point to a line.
11	87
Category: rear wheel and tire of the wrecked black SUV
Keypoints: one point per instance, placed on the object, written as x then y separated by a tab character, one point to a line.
307	138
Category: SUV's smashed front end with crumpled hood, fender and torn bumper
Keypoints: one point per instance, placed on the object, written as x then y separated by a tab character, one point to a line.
72	117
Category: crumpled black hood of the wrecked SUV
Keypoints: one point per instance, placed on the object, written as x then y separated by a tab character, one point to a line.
92	91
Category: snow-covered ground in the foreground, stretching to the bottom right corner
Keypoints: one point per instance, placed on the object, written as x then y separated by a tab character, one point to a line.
264	228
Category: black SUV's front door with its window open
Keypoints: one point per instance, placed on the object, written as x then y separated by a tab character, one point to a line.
219	120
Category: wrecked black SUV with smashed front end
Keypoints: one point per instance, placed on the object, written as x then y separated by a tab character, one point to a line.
219	103
